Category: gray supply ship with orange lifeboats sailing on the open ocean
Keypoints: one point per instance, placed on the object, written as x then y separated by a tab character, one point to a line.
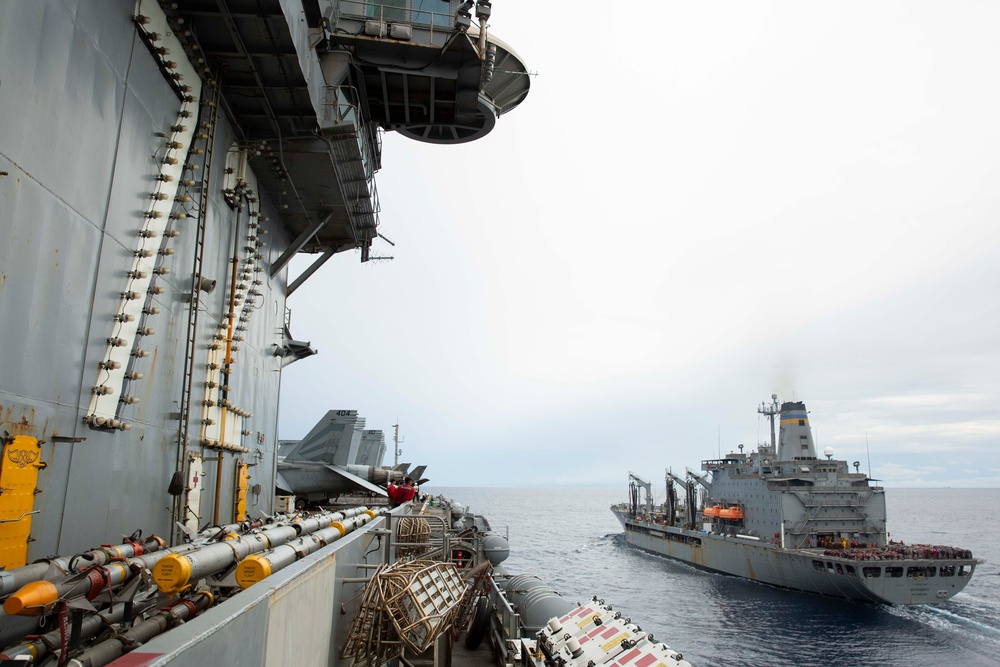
780	515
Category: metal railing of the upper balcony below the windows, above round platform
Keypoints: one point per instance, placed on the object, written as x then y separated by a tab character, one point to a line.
392	19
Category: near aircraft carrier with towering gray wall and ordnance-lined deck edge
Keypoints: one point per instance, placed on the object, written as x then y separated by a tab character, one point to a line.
161	164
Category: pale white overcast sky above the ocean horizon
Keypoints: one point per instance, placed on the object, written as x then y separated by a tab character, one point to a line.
699	204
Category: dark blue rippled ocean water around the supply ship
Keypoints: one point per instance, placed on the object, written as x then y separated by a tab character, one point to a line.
570	539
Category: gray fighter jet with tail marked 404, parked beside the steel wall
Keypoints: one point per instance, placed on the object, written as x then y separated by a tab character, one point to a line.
337	456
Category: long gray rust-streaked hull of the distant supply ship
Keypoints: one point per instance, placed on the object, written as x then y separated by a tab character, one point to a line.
794	569
